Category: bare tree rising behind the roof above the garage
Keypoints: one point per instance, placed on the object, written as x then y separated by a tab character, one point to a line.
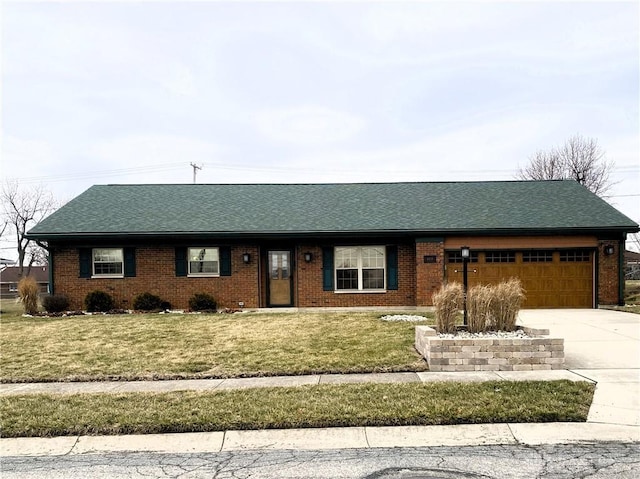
579	158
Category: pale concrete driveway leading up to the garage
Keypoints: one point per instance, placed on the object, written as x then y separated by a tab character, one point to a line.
603	346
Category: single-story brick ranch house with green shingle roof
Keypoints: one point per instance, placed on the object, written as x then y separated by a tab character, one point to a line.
336	245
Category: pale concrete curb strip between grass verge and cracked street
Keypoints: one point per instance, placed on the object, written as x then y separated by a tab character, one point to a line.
325	438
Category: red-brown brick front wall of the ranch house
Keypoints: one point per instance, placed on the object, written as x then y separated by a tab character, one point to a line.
418	277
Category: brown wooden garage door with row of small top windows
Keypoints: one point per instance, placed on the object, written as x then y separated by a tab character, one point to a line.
551	279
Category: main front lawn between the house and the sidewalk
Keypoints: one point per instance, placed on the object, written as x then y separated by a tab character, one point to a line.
156	346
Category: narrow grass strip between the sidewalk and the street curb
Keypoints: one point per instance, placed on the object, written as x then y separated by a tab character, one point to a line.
299	407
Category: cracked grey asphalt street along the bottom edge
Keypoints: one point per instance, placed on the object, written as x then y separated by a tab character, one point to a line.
594	460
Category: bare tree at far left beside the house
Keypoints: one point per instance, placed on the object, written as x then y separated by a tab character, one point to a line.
22	209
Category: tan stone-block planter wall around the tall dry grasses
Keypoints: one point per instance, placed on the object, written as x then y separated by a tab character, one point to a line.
538	352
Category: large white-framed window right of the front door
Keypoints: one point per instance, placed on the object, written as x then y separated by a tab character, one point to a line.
360	268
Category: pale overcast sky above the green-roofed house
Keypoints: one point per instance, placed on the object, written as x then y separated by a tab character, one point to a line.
307	92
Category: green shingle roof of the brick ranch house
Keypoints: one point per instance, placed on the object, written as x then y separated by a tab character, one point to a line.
263	209
